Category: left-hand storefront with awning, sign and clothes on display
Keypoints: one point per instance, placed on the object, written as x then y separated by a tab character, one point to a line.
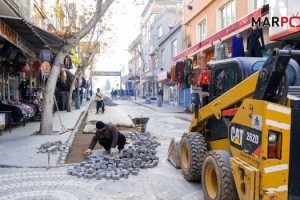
22	76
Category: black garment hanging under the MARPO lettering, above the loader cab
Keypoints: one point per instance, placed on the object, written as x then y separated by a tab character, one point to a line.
253	45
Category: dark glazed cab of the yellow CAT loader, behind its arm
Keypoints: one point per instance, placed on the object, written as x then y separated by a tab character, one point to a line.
228	73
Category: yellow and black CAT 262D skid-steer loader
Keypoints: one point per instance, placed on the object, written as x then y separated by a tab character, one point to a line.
245	142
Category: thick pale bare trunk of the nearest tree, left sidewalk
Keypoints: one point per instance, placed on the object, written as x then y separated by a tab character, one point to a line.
48	95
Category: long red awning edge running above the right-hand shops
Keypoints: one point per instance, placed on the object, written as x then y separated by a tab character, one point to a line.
245	21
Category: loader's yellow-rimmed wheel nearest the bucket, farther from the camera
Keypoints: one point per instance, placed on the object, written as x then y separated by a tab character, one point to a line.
193	149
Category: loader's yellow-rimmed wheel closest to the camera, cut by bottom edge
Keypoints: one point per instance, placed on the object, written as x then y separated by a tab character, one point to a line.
217	179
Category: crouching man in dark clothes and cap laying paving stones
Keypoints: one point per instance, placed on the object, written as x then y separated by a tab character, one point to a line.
108	137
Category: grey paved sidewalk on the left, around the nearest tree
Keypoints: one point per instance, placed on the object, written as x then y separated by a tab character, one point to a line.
19	148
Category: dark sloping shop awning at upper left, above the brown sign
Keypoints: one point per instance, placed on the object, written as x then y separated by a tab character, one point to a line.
37	37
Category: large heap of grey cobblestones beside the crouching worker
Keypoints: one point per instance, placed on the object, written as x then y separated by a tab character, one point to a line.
140	155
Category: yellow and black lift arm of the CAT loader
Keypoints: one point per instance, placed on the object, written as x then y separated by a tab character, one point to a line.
268	84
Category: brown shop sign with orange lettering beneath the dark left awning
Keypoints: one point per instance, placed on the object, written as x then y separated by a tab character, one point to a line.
10	35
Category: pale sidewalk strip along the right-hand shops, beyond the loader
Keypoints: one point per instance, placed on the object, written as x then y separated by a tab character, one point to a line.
166	108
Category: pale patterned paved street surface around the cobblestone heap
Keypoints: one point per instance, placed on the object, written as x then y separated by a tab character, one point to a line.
161	182
